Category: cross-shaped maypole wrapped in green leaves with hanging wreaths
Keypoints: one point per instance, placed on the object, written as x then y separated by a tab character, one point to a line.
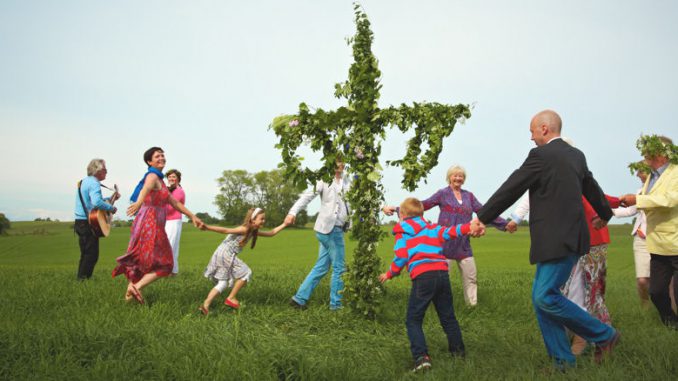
354	134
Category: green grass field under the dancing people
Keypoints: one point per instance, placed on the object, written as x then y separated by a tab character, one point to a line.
55	328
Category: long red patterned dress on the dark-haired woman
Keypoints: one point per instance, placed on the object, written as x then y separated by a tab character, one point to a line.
149	249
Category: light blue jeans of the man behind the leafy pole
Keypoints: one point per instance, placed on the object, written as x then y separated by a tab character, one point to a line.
331	253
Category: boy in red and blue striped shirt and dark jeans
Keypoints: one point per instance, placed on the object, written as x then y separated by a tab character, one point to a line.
419	246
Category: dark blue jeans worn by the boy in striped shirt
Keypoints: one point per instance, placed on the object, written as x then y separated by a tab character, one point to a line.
432	286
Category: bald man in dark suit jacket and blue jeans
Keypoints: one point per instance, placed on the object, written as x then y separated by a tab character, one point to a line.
557	176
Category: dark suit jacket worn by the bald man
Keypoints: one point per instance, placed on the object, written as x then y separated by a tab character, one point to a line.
557	176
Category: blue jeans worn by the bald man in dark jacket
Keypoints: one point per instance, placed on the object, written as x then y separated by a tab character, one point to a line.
555	312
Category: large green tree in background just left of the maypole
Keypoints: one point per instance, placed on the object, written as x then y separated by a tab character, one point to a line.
270	190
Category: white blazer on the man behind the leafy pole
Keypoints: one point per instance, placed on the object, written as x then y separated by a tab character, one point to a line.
334	210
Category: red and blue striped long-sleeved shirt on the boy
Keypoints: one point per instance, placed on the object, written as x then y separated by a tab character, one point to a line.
419	245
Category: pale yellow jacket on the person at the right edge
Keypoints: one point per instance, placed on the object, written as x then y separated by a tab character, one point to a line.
661	208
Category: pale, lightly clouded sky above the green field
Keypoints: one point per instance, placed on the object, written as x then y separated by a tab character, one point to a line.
204	79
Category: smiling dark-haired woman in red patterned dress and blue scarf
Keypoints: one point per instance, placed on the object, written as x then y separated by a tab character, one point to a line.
149	254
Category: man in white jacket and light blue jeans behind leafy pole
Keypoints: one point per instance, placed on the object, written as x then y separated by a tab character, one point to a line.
330	225
